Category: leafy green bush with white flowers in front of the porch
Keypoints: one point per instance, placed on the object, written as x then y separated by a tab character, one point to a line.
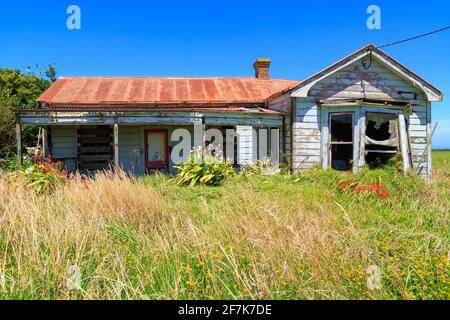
203	168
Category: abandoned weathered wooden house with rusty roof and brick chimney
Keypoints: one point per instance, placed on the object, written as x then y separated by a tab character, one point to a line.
360	111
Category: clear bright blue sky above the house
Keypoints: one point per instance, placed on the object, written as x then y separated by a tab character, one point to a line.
223	38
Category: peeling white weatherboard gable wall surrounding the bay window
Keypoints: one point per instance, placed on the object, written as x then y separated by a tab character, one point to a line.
352	82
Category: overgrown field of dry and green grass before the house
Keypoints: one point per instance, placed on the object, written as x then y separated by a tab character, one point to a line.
319	235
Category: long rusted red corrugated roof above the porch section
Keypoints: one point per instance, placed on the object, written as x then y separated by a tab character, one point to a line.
135	90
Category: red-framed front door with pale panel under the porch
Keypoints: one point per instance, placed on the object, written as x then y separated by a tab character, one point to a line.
156	153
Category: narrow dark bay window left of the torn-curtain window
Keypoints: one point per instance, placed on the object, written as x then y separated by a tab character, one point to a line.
341	144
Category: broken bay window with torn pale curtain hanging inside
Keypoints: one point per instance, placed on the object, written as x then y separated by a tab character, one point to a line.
381	138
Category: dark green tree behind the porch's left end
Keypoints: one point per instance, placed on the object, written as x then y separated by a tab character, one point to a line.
20	90
